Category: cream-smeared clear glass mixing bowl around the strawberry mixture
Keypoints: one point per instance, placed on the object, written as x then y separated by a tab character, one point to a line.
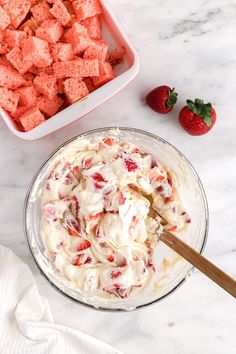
172	270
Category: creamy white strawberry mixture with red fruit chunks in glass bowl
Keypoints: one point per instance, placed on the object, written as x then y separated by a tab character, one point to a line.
103	207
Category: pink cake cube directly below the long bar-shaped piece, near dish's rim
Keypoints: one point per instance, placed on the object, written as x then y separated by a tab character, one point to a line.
75	89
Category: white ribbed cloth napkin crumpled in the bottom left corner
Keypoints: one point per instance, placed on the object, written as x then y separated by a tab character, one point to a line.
26	322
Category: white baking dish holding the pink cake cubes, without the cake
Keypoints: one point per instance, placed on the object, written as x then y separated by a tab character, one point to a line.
125	72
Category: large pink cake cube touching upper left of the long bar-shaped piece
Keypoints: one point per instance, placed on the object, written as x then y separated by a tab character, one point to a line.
37	51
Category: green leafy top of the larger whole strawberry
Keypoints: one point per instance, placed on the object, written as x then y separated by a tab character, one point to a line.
201	109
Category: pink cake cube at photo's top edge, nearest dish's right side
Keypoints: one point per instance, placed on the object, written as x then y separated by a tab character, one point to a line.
86	8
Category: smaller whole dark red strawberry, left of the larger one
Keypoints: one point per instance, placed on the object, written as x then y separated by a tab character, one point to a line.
162	99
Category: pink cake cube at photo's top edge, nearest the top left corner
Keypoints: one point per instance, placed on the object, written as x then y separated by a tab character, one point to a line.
17	10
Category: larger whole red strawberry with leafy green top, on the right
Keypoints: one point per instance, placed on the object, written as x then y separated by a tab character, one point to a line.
197	117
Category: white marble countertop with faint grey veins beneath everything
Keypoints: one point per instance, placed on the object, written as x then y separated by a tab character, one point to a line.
190	45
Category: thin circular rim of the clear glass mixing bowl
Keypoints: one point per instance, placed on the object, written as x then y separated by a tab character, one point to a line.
127	129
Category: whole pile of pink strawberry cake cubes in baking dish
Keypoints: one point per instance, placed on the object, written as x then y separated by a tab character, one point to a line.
52	55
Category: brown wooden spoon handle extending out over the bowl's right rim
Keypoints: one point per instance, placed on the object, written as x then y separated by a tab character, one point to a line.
200	262
